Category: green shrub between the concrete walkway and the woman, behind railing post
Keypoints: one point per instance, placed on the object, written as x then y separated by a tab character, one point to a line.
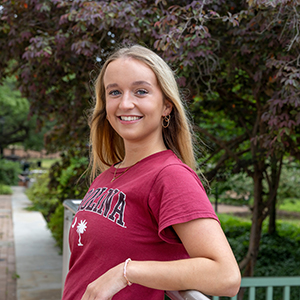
52	188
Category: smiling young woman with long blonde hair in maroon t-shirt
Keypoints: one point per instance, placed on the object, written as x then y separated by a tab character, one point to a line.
146	224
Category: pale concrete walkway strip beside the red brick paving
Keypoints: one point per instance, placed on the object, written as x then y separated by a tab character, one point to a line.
38	263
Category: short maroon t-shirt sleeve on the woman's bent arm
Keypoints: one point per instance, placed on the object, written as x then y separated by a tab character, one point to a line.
178	196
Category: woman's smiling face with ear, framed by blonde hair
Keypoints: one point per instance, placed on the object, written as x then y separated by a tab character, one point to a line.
134	101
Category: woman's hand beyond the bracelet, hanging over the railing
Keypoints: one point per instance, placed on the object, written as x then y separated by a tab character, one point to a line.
107	285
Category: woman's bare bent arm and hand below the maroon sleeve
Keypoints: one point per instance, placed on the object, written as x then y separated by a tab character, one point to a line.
212	268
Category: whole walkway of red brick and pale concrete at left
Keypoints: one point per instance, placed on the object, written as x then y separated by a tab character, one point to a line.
36	264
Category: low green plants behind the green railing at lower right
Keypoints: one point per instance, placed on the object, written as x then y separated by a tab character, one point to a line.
277	256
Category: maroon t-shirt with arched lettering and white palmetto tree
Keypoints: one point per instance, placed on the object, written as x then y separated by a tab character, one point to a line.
132	217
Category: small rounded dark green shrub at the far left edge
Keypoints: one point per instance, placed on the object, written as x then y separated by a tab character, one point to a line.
9	172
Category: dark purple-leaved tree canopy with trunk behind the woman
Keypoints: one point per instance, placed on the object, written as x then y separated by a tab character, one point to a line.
236	61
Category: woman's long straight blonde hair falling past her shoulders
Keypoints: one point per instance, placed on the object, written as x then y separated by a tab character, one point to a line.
107	146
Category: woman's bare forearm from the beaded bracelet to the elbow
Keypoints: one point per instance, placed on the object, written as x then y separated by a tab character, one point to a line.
203	274
